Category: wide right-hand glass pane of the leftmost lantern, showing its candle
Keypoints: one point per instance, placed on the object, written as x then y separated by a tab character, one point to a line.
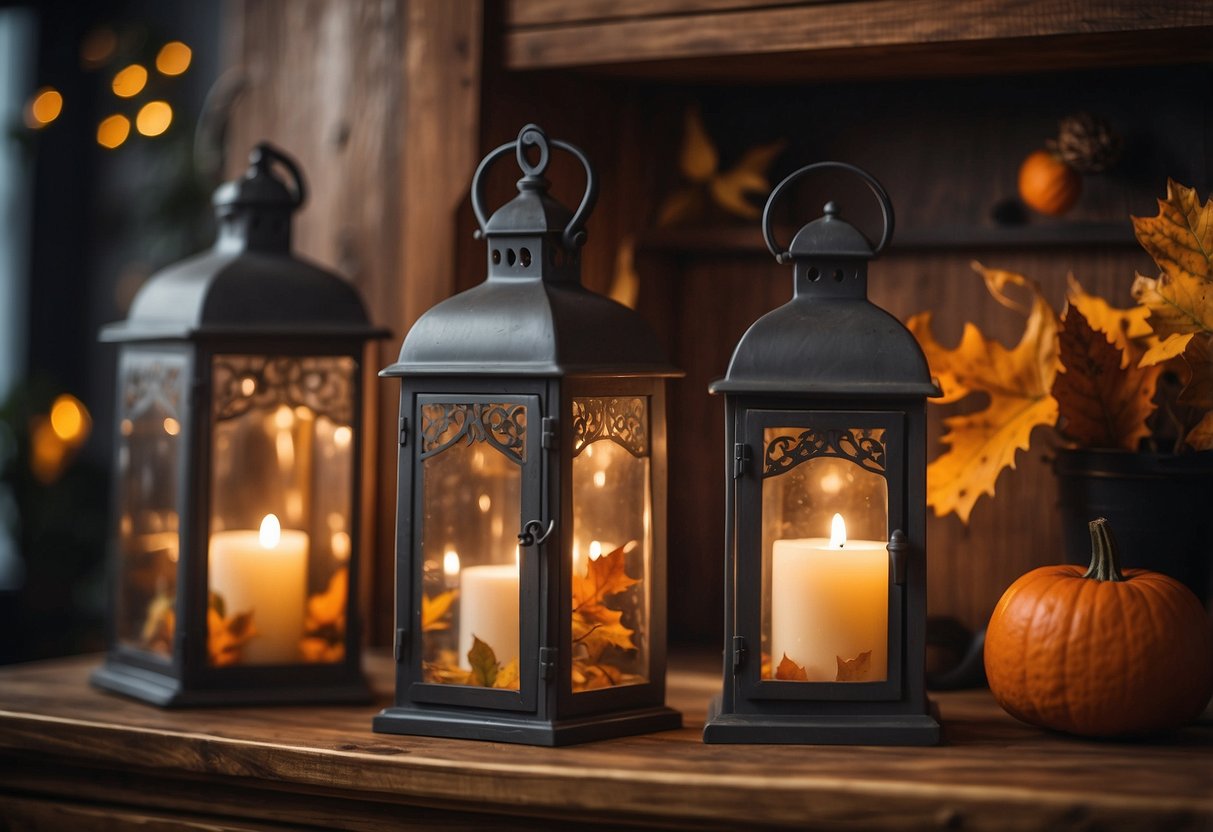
282	492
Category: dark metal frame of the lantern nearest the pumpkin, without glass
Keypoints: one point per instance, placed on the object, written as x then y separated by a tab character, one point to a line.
824	364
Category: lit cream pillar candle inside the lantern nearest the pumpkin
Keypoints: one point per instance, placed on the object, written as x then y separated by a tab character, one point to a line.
830	601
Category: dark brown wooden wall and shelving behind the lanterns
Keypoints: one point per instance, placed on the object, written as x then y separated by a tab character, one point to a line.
390	106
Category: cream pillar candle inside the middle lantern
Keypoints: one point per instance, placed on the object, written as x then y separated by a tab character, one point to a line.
488	609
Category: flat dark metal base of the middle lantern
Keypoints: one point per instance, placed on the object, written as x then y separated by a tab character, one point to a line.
502	728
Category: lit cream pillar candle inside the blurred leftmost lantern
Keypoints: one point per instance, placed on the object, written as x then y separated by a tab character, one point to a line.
265	573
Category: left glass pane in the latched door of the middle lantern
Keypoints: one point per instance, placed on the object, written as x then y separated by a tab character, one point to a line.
471	508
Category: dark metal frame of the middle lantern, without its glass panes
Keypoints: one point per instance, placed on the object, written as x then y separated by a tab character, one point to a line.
531	334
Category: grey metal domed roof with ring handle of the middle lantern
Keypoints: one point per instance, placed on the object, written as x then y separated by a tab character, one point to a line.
532	316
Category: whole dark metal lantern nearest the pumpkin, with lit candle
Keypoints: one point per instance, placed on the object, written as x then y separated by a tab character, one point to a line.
825	566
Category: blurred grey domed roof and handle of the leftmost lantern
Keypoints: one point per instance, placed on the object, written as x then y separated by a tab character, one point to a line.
249	283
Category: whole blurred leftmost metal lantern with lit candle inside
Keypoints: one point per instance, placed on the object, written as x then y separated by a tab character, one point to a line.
237	469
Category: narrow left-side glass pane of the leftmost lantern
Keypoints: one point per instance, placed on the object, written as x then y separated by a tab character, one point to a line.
151	458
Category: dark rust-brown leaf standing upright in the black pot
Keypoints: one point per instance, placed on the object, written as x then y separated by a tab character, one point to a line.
1102	403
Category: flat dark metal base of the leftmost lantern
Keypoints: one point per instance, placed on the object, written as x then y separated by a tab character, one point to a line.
169	693
